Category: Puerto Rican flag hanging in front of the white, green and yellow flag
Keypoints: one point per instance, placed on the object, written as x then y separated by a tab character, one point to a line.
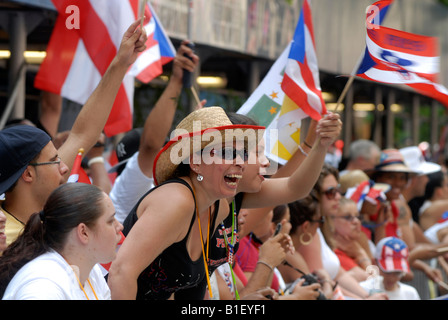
301	82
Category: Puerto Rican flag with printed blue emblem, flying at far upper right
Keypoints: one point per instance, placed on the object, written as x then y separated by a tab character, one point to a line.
398	57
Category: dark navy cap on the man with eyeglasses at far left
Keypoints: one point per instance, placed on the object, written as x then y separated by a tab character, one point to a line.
18	146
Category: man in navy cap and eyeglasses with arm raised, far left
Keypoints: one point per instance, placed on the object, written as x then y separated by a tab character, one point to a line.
30	165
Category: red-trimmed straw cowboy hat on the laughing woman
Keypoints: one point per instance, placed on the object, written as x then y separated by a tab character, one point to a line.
201	128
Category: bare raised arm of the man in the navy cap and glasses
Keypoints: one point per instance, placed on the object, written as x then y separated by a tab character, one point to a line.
94	114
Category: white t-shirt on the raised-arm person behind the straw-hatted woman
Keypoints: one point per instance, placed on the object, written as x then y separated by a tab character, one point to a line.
128	188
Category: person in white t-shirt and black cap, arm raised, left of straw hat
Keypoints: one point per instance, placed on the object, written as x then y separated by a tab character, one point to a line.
139	147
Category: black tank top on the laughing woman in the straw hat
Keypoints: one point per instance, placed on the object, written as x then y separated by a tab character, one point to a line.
173	269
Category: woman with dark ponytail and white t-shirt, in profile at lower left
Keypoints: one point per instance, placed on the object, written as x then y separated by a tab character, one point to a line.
57	255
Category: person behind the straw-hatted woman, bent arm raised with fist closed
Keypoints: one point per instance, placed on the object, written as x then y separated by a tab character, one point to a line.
256	191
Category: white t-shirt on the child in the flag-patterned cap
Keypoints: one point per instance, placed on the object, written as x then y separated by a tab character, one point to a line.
403	292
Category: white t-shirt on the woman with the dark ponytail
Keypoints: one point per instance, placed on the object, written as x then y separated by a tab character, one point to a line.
50	277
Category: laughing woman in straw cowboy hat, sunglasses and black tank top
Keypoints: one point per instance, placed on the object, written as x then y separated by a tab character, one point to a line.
172	223
